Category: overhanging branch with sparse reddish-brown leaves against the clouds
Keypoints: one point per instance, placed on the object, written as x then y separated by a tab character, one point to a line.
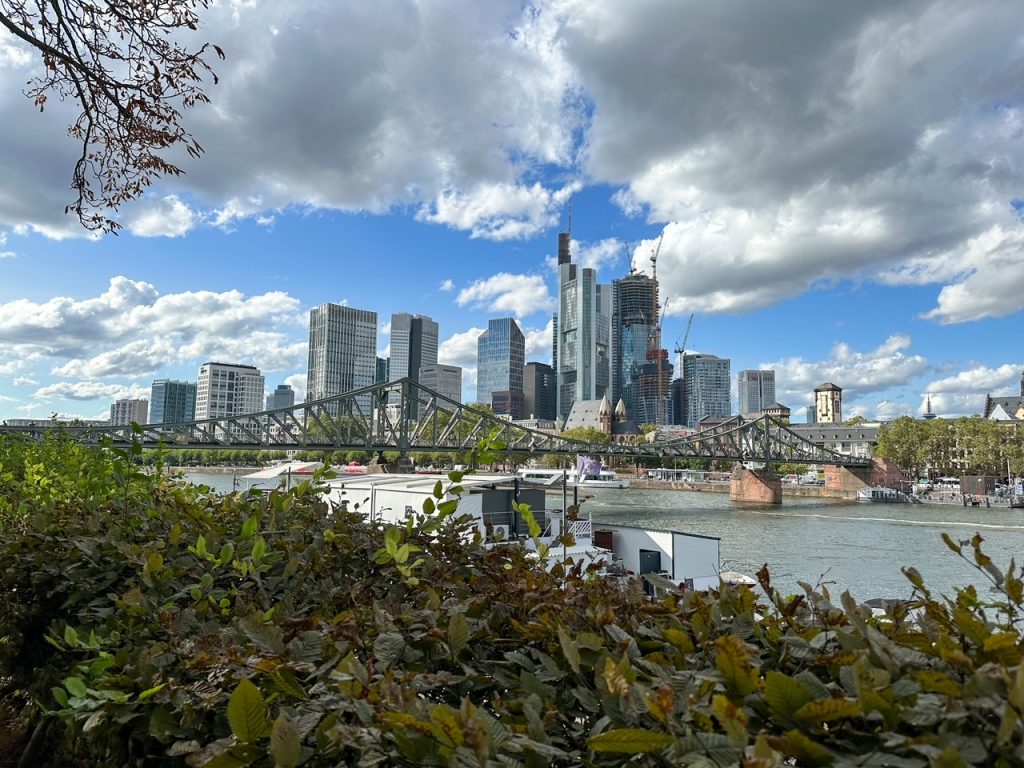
121	63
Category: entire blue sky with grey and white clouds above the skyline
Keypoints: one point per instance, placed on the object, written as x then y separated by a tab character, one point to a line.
838	187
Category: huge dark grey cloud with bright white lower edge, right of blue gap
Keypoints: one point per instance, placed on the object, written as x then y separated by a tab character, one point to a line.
868	142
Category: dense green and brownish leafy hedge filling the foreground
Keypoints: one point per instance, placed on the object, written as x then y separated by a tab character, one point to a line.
148	623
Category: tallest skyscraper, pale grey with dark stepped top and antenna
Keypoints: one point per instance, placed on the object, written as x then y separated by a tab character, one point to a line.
582	332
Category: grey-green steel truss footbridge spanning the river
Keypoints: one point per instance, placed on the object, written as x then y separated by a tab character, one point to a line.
407	417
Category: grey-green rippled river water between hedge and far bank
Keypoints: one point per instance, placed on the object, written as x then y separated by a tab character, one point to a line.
846	545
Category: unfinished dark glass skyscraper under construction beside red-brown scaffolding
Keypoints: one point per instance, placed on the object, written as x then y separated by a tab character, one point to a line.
642	374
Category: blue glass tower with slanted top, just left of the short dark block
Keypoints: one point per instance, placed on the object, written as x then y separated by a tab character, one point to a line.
501	355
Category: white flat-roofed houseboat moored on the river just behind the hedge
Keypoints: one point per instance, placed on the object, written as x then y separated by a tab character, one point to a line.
686	560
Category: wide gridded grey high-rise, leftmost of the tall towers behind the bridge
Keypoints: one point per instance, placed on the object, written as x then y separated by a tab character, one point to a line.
343	352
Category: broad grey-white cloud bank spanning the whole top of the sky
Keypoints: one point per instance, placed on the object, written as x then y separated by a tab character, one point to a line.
780	147
